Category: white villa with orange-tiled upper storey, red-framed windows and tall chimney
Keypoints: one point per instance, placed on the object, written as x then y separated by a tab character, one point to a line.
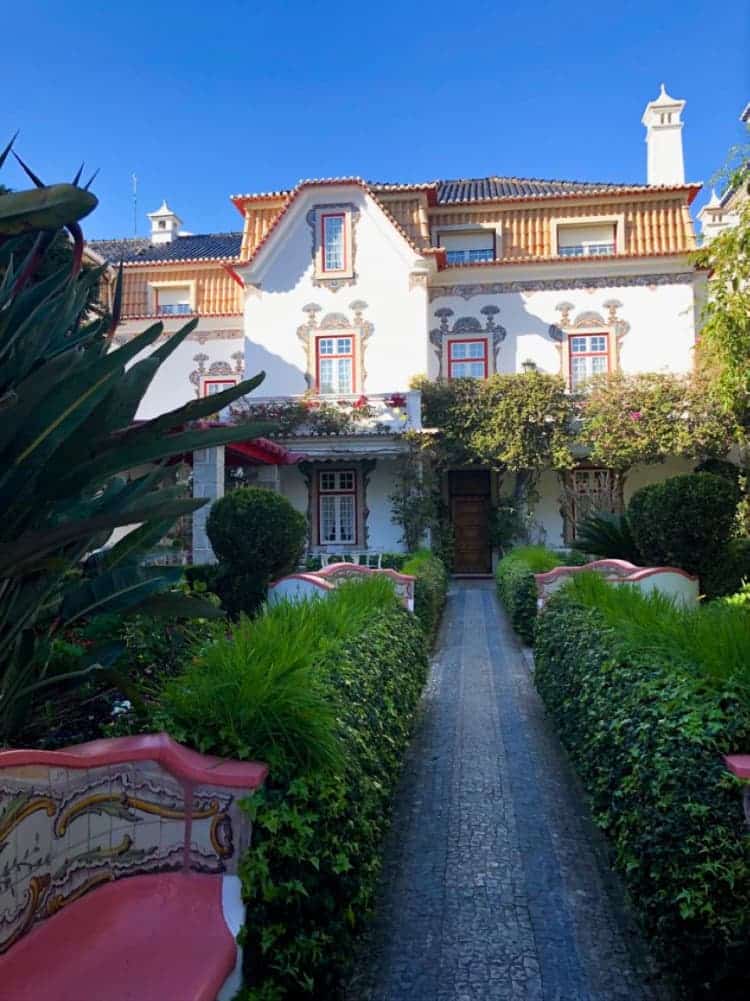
349	291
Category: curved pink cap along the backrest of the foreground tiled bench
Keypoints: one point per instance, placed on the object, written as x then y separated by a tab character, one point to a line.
182	762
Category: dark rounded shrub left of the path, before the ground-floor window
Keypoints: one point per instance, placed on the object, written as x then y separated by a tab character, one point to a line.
257	536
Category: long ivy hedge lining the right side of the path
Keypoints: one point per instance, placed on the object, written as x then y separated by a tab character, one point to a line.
647	738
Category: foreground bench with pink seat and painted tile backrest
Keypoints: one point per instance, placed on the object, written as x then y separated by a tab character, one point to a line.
119	864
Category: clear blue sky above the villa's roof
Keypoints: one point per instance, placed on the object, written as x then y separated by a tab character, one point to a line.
203	101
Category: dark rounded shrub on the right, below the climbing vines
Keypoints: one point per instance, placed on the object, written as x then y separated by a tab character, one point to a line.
685	521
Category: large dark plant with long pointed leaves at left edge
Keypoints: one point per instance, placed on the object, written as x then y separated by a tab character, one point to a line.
69	438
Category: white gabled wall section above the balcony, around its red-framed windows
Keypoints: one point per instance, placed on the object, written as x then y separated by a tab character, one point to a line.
285	271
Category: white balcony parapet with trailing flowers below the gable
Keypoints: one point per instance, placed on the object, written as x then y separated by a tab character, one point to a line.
366	414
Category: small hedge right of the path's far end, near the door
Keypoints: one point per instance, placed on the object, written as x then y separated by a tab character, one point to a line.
517	588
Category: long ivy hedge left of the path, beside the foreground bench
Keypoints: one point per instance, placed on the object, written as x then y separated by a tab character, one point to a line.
312	873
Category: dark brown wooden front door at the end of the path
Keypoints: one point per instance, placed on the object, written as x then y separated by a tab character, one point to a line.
470	511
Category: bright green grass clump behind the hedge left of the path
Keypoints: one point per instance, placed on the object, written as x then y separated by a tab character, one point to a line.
257	693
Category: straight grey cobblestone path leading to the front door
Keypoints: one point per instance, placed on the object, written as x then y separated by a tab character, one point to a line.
494	887
